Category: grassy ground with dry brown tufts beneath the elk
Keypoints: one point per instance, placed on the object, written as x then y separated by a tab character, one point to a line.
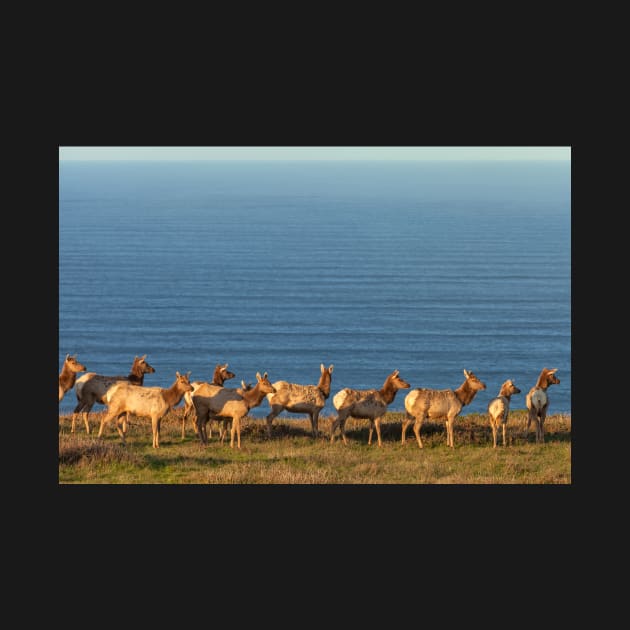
292	456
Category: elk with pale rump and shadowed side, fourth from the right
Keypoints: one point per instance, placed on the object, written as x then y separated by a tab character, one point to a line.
366	404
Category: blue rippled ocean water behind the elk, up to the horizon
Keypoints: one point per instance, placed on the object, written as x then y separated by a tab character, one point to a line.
426	267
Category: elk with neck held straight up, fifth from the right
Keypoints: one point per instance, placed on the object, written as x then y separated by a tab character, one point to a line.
295	398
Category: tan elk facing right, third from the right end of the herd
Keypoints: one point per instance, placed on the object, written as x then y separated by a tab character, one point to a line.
436	404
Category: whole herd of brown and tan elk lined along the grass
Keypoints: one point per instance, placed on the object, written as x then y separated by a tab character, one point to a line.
208	402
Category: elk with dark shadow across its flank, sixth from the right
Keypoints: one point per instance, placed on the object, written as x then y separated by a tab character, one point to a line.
228	404
